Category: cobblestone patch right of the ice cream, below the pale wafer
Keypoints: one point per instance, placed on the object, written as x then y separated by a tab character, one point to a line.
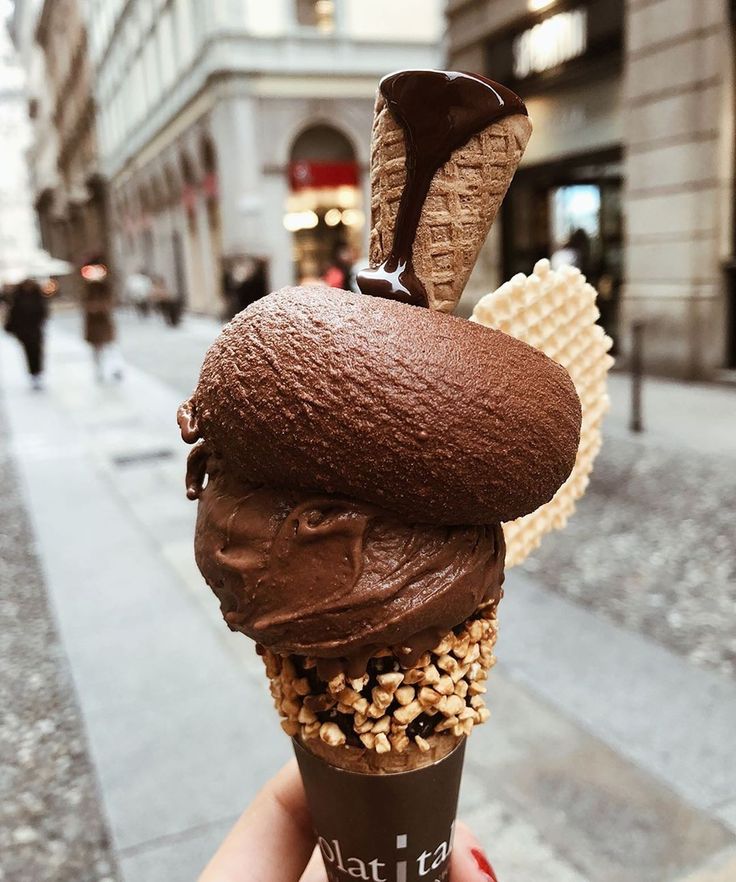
652	546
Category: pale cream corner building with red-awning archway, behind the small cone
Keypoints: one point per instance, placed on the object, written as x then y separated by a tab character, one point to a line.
236	130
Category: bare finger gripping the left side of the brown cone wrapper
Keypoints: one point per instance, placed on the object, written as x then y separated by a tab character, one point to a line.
273	839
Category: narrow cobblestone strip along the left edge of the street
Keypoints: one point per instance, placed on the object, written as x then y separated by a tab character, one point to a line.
51	825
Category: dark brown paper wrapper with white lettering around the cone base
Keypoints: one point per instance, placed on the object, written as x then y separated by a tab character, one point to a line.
392	827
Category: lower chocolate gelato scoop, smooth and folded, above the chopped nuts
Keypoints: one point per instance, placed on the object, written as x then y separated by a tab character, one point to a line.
336	578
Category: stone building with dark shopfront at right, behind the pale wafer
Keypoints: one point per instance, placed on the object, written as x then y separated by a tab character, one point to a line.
630	164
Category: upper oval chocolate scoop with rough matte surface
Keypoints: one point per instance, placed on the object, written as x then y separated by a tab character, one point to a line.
431	417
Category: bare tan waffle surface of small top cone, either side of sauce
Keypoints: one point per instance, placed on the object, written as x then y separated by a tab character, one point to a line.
463	199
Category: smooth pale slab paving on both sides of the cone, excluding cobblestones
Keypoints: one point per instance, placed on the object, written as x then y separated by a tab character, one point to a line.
607	756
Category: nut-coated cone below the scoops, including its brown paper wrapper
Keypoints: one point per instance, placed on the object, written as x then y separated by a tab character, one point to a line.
370	778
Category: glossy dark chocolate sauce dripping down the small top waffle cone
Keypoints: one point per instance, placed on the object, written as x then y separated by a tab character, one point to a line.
439	111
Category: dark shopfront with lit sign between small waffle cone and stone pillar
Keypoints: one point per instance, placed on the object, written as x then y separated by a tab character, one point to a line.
566	199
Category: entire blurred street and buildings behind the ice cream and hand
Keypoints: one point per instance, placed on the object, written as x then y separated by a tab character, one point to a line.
163	163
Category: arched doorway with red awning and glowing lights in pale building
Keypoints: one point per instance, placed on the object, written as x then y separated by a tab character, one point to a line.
324	208
